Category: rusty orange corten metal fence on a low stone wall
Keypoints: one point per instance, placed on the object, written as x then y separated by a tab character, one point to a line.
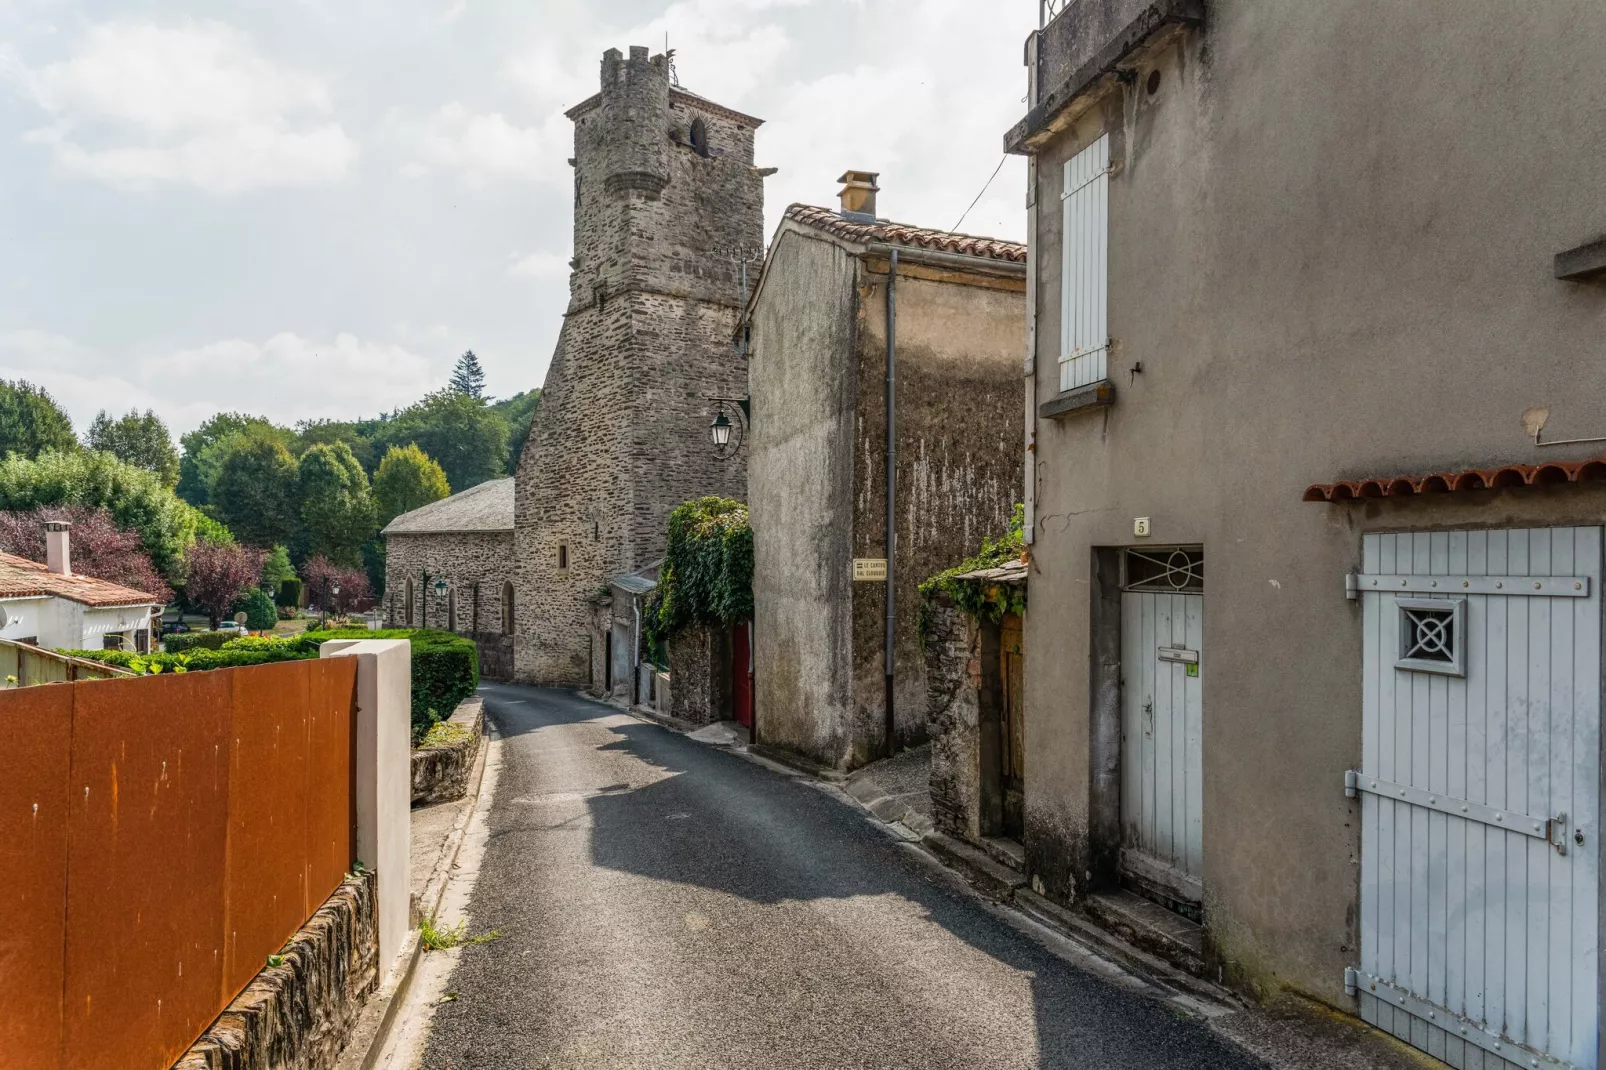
160	838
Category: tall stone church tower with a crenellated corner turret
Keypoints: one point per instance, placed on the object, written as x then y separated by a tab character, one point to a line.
669	213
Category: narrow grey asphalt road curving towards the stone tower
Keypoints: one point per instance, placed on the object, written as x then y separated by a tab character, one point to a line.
664	904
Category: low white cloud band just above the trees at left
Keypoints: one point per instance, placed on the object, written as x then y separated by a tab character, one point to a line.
285	378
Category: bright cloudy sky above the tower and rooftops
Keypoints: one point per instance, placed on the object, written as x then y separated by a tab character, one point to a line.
309	208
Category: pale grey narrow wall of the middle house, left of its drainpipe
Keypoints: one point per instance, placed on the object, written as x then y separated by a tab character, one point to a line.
801	508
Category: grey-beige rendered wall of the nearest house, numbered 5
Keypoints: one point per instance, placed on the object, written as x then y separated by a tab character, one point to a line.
1331	243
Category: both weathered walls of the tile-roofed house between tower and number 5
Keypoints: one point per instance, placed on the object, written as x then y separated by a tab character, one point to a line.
818	480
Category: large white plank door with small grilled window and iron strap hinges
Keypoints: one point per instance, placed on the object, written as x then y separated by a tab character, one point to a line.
1480	791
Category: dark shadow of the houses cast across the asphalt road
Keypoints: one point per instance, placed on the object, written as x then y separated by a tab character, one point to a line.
712	820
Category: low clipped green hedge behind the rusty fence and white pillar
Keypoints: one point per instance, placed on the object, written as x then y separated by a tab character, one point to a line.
446	666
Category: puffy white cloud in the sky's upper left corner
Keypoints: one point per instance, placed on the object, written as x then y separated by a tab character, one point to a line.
144	105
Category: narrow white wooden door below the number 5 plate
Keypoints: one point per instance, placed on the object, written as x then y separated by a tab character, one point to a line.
1162	735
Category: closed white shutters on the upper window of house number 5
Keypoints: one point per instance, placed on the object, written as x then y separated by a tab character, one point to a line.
1085	329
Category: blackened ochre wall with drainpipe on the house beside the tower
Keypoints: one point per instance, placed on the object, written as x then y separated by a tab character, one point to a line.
960	464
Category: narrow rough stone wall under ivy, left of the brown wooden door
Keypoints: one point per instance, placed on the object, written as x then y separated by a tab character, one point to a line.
953	684
